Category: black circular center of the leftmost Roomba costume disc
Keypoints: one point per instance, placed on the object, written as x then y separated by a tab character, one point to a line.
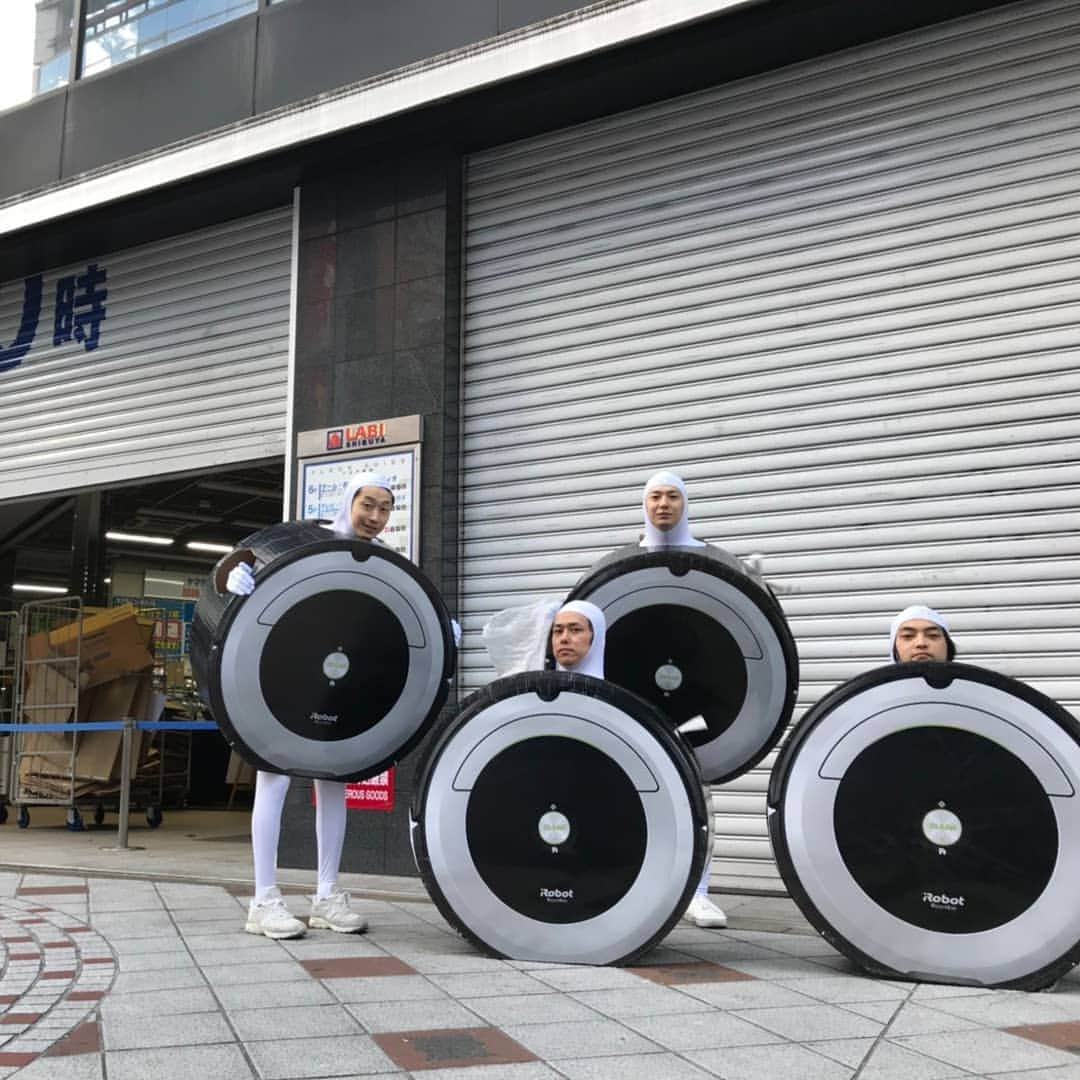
334	666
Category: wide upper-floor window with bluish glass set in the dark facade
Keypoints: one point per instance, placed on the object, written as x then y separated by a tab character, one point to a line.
119	31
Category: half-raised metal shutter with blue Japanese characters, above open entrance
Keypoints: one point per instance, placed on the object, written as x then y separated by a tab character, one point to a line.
191	369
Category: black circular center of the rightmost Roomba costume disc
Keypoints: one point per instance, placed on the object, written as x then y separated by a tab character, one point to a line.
908	794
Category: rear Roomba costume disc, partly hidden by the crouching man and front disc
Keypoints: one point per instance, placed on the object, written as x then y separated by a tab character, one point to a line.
693	632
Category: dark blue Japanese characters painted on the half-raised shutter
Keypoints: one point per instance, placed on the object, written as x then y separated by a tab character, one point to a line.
78	314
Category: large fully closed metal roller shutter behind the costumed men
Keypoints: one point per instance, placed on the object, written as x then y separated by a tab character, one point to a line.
842	299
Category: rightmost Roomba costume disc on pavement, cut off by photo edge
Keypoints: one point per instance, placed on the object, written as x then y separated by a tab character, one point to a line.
926	818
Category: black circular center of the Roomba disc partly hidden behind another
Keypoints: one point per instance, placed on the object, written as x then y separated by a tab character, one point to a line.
681	660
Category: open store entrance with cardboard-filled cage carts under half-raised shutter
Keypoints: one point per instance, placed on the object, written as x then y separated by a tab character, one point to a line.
120	570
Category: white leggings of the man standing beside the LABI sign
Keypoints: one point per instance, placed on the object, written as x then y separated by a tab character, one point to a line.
271	792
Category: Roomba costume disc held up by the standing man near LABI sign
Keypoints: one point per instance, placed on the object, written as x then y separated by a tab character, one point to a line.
335	666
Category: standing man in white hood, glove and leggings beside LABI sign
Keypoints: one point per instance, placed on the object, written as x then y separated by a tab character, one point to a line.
366	511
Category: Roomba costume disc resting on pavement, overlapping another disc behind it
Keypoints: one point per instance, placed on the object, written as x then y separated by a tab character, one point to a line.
558	818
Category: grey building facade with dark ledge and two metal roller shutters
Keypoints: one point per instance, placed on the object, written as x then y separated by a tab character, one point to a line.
818	258
